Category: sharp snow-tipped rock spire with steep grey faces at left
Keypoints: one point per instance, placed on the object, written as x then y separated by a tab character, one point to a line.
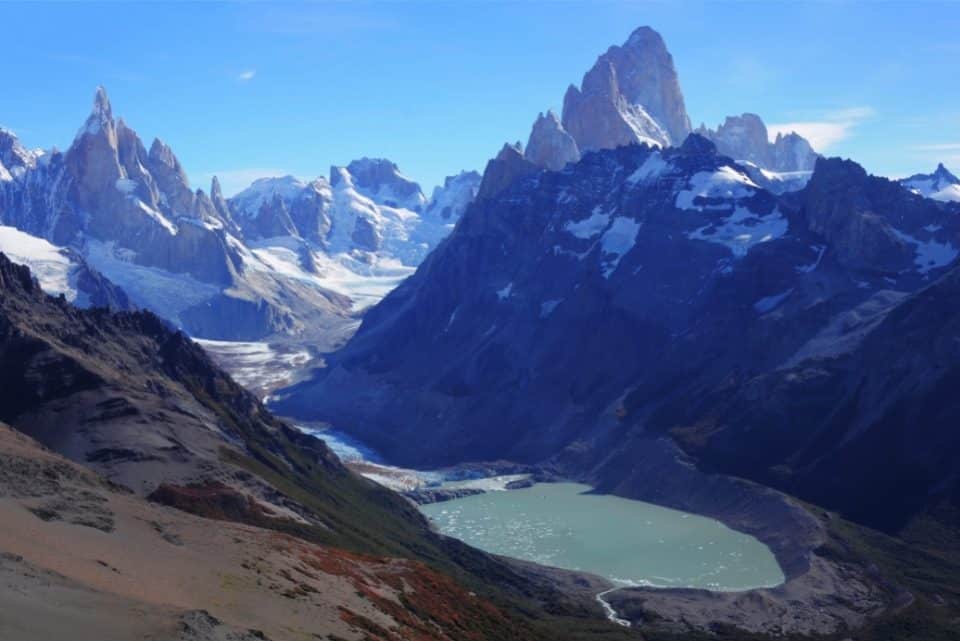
103	188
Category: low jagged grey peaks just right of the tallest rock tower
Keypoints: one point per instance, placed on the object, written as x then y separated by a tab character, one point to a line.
745	138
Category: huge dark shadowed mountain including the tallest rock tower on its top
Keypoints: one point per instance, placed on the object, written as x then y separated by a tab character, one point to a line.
582	310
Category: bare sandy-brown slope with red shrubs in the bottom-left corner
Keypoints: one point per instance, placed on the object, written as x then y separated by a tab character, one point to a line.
84	559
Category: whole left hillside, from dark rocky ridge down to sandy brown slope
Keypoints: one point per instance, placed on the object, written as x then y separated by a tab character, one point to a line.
148	421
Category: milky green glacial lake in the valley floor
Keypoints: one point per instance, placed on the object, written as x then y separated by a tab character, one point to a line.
628	542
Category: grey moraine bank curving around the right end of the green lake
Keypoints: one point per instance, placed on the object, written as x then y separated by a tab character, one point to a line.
820	595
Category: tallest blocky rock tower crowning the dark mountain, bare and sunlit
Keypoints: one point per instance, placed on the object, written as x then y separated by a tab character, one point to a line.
632	94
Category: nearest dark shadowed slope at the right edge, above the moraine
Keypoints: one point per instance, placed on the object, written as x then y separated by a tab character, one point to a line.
861	420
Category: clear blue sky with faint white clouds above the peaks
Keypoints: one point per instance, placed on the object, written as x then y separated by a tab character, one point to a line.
245	90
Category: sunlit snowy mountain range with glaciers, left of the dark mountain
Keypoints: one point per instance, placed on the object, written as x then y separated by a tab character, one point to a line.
283	258
